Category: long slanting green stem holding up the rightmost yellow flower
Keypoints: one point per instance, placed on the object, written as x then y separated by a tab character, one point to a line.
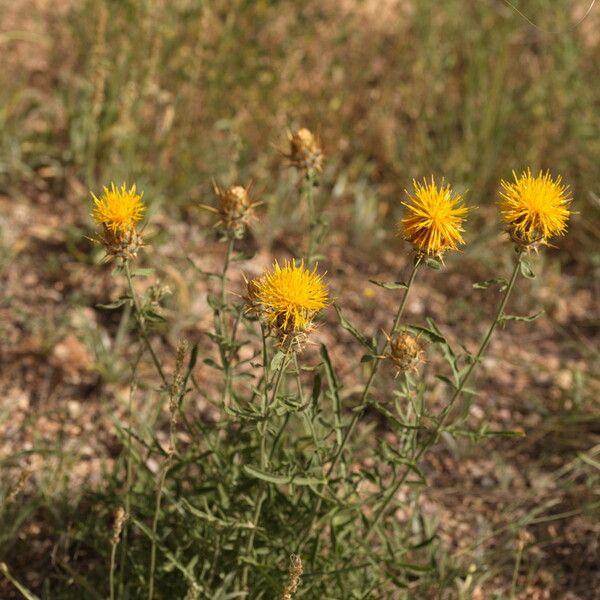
475	361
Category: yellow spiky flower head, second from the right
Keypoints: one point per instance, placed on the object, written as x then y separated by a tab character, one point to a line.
435	217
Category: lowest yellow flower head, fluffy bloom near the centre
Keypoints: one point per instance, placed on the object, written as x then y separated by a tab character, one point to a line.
290	296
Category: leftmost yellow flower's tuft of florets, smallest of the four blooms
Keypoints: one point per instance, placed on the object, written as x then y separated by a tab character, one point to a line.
118	209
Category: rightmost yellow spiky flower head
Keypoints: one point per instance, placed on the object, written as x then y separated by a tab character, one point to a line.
534	208
